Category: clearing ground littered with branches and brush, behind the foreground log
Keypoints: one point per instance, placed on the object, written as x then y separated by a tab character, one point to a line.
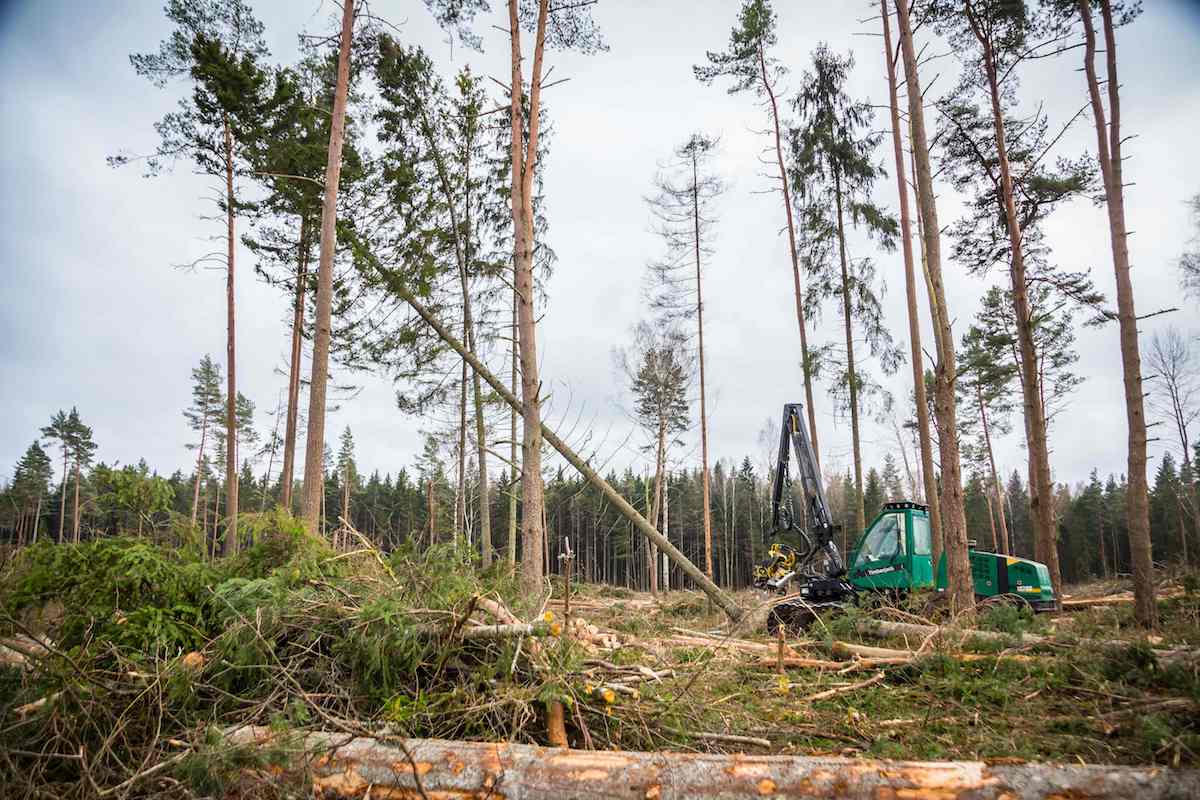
128	666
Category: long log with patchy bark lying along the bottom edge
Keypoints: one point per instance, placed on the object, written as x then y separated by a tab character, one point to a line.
361	768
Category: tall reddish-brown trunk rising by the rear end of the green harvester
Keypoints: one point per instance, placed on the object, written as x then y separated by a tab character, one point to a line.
1035	410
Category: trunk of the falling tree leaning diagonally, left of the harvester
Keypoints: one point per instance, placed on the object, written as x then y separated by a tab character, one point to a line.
722	599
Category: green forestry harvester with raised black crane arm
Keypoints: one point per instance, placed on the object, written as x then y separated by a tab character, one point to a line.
893	556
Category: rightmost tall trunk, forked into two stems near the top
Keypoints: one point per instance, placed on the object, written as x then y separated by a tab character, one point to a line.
1109	153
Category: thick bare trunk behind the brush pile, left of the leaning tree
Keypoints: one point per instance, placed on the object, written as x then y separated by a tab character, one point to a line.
315	444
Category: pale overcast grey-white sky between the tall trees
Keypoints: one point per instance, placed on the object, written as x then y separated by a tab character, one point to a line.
95	312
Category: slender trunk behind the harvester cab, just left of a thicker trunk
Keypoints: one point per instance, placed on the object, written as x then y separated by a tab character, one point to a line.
910	275
